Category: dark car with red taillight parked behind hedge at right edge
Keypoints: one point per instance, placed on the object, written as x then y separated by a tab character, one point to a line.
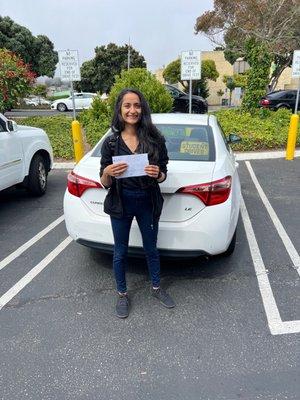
280	99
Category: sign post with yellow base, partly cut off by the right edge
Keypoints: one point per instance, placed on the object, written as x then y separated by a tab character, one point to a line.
292	136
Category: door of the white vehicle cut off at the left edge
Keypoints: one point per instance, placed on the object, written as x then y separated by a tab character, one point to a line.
11	157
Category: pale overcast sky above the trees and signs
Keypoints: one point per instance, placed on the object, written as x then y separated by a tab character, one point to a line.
158	29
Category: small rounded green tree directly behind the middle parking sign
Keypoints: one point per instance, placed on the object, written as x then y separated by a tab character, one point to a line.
172	74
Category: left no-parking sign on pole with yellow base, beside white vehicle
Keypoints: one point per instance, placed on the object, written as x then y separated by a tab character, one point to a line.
70	71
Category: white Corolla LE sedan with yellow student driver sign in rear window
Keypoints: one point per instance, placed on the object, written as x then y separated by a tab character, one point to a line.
201	193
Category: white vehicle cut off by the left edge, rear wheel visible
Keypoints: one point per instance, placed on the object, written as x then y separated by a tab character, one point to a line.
26	156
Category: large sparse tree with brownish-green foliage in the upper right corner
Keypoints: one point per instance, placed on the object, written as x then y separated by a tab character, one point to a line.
273	25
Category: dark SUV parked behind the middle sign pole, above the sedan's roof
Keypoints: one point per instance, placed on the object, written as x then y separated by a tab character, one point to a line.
181	101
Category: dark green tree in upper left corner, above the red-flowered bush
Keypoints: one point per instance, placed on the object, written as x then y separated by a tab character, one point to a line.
36	51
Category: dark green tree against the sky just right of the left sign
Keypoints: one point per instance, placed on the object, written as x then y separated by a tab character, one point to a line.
99	73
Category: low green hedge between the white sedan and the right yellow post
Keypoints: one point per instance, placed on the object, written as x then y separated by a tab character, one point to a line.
263	130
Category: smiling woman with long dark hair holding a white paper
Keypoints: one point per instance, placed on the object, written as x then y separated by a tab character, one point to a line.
140	197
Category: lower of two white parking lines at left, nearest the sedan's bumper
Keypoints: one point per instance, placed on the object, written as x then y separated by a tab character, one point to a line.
13	291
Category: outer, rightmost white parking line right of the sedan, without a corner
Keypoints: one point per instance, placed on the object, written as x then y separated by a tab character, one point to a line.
290	248
